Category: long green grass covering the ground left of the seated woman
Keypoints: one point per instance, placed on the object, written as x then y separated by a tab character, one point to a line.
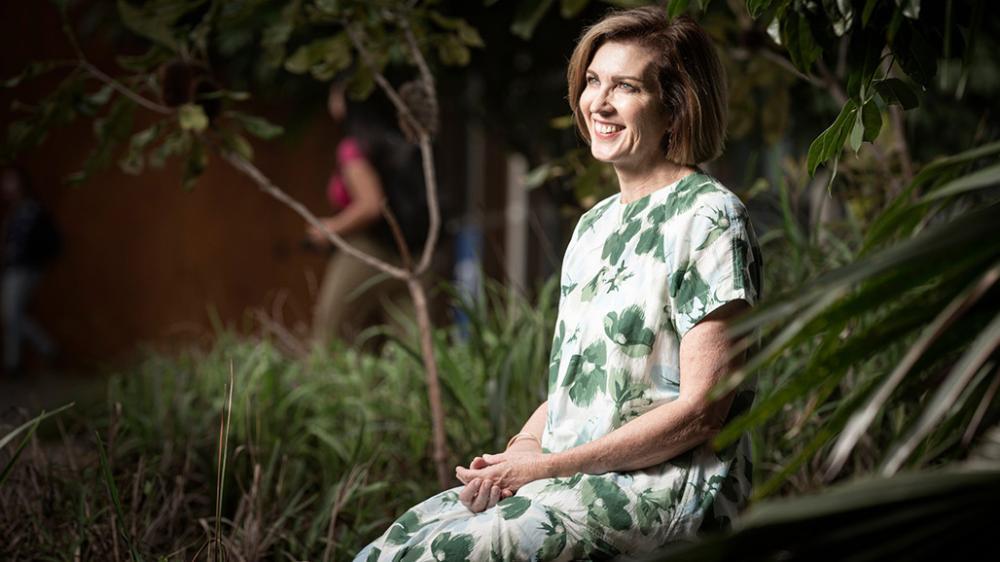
324	451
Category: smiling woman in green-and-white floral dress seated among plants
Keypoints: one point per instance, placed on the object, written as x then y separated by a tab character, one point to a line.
617	460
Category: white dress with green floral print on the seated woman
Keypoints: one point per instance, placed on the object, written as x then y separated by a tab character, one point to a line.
635	278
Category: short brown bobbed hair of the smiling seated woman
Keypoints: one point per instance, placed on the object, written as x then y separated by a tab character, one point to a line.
691	78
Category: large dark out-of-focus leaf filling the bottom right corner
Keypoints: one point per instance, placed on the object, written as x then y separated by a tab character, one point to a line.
917	516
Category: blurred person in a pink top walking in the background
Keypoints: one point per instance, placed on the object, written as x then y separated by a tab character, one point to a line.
376	166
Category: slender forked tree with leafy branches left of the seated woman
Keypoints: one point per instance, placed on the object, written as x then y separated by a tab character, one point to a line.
173	80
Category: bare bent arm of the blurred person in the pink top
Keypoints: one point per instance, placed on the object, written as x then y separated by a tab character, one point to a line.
365	188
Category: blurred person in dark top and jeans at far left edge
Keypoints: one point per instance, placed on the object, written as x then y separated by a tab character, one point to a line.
30	242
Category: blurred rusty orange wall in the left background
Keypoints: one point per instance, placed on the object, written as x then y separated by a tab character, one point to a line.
145	260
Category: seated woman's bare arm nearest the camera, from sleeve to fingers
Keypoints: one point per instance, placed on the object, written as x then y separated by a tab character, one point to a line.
654	437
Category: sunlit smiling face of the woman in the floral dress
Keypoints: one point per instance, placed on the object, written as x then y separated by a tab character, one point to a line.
621	106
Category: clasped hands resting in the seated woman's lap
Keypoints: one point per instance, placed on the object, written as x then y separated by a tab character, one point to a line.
491	478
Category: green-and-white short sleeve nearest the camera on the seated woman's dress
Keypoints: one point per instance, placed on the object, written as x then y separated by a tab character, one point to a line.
718	262
